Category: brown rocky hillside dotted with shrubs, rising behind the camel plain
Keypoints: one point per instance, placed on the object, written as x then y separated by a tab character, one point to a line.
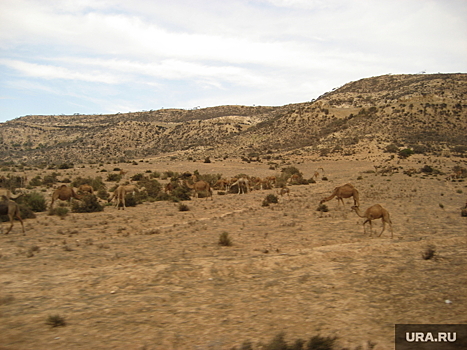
424	111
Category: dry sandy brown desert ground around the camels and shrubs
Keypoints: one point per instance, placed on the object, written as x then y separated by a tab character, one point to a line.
153	277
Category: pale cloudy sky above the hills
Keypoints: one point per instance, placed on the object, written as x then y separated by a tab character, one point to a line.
109	56
